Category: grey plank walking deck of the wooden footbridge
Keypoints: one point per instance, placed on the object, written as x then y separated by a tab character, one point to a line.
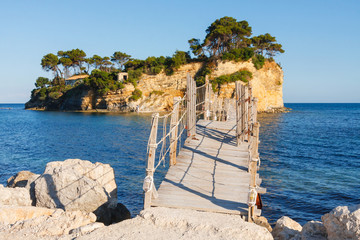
211	173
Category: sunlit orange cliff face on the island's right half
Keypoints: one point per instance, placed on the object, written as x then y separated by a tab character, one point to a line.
266	84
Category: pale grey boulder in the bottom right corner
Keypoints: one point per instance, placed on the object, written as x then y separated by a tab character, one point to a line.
343	222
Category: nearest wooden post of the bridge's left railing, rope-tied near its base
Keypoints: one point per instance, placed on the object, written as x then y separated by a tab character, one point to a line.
151	161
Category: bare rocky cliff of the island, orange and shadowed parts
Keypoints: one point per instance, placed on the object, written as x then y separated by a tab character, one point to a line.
159	90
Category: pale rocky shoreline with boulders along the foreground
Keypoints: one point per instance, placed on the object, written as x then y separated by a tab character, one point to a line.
76	199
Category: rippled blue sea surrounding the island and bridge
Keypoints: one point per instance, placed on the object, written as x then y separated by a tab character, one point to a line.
310	157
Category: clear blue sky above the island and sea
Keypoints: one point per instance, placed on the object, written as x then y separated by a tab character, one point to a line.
321	38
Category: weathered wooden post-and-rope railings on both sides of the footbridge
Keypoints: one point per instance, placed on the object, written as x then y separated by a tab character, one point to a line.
202	102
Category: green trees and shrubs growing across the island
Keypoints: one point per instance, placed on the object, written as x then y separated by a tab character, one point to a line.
226	40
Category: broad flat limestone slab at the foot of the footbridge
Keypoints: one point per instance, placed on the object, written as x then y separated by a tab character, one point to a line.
163	223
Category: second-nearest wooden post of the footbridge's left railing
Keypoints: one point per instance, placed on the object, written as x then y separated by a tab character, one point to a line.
174	132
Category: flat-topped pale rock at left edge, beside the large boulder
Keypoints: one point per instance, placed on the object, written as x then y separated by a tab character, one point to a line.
14	196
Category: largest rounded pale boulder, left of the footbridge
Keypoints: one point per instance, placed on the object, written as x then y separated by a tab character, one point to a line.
76	184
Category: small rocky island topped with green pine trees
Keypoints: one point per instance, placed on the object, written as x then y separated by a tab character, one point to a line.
121	83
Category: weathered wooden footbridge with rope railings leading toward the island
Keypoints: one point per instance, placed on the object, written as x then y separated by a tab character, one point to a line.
215	168
